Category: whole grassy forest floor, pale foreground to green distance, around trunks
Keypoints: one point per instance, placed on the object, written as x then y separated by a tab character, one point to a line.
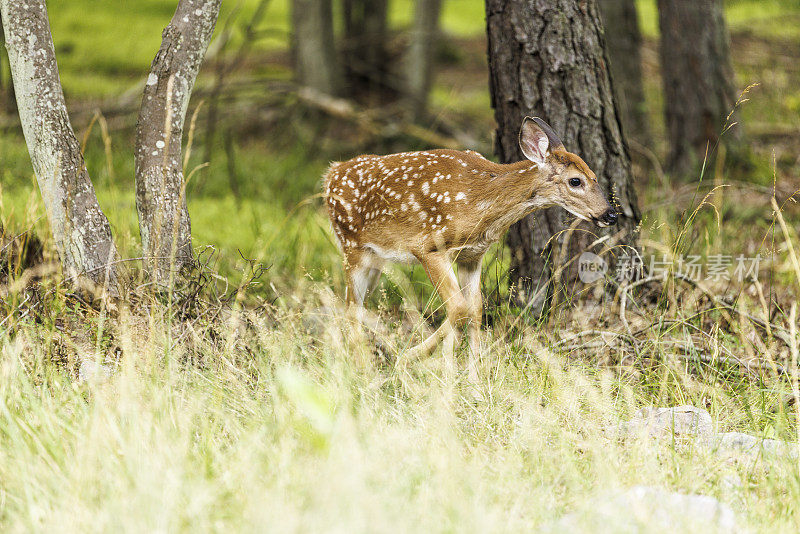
247	402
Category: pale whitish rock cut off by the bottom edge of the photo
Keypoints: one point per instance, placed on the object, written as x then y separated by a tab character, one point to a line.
649	509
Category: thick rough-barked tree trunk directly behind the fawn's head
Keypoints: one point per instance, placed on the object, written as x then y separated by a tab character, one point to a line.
547	59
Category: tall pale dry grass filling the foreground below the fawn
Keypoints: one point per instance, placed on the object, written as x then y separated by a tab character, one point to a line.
282	420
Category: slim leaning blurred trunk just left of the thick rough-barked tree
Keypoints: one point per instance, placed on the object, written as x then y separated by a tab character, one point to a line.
420	57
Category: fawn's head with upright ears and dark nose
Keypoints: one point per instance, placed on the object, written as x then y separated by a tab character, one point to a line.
566	180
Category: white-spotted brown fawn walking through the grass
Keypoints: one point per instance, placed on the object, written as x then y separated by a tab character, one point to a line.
443	206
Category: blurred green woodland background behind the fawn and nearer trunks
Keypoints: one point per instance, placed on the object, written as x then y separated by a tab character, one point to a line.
267	137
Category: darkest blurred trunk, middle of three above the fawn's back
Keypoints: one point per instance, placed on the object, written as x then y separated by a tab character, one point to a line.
365	54
